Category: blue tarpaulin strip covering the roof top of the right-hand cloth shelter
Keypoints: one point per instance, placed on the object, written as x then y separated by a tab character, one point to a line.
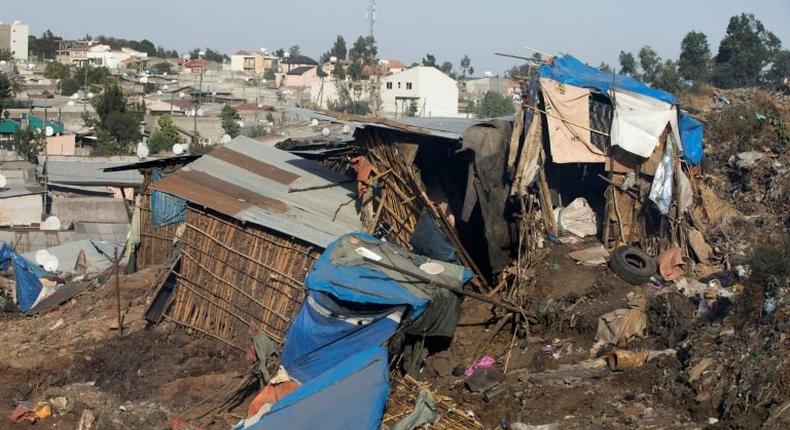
569	70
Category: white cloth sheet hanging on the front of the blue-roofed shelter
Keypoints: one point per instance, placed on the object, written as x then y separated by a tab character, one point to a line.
639	122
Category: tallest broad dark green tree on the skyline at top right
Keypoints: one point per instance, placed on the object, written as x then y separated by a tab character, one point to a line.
746	50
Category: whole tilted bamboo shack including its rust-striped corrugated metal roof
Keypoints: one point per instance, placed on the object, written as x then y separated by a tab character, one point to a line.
254	220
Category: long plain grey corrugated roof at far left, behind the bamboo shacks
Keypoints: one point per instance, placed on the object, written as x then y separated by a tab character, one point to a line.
90	170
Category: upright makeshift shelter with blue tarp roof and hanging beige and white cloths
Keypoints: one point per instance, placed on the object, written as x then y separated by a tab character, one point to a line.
621	145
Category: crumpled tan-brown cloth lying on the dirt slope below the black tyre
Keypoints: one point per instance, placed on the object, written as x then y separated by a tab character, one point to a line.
620	326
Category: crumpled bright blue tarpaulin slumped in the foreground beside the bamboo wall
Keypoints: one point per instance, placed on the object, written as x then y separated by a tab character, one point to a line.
336	346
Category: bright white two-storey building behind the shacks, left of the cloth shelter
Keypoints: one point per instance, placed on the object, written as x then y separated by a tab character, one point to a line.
433	92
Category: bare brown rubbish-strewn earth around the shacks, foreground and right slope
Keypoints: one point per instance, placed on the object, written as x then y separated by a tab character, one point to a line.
730	369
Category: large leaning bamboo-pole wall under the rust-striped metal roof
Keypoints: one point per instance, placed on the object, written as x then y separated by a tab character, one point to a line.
232	277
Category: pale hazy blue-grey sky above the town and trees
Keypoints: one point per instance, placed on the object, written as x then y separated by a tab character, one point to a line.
594	31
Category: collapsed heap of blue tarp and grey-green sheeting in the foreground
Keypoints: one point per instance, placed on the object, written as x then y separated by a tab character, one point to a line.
336	348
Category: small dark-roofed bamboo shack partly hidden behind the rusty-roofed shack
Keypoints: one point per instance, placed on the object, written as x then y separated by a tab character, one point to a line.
155	244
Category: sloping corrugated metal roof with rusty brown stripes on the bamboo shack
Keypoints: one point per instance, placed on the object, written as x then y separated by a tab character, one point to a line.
257	183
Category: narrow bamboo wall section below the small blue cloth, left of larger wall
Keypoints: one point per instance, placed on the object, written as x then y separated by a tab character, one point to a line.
156	243
